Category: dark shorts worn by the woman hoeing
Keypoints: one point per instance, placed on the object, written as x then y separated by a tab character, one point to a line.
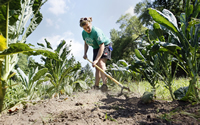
106	53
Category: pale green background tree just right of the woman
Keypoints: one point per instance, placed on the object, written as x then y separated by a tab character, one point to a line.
124	40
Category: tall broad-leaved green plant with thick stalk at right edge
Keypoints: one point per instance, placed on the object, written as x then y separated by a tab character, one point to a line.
186	40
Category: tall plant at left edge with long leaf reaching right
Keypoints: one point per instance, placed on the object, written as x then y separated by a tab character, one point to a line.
14	16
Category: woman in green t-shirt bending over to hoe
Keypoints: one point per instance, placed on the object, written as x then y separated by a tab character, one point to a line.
102	48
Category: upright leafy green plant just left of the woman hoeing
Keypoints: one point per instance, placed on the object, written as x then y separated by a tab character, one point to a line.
60	70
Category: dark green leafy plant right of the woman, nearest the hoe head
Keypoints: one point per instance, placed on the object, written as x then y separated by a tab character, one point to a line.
147	64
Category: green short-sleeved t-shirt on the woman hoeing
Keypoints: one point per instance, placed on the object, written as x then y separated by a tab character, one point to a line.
95	37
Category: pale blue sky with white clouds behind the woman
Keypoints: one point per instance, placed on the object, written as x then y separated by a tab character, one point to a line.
61	22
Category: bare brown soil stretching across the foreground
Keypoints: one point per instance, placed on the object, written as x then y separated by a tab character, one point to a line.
96	108
